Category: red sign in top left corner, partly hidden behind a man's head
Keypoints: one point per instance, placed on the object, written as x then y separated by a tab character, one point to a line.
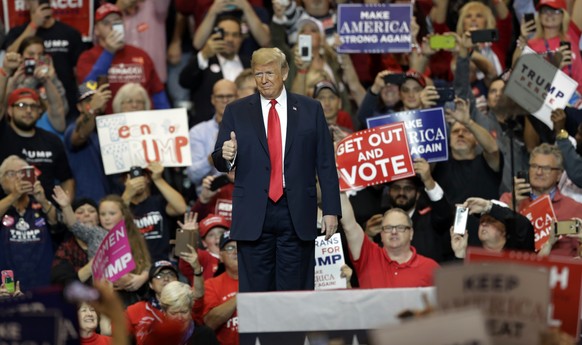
76	13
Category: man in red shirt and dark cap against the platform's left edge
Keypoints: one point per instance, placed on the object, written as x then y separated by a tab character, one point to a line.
220	295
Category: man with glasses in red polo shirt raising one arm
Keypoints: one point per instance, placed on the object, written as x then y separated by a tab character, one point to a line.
396	264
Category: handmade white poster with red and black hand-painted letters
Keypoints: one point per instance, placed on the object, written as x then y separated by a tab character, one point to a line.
141	137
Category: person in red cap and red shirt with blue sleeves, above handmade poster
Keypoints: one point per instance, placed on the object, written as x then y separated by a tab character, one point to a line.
121	63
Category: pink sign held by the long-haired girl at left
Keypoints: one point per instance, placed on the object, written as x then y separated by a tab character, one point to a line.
113	258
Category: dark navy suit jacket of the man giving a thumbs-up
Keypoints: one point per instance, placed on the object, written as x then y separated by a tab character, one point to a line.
308	150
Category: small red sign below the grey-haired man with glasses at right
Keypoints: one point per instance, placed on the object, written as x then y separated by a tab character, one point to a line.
541	215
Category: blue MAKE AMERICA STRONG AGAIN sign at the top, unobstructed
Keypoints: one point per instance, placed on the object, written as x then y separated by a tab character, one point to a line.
383	28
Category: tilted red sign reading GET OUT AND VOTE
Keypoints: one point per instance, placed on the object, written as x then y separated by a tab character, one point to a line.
374	156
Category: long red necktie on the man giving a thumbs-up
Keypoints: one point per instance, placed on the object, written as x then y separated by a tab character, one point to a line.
275	153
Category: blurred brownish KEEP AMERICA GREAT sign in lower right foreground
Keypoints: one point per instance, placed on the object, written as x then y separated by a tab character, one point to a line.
514	298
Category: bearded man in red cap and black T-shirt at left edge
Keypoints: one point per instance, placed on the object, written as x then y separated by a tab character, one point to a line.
39	148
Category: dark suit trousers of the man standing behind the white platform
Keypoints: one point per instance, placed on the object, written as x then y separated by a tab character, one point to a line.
278	260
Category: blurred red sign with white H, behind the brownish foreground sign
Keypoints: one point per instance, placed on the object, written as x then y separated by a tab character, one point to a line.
565	283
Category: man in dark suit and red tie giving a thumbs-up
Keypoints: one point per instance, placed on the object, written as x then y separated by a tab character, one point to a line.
277	141
